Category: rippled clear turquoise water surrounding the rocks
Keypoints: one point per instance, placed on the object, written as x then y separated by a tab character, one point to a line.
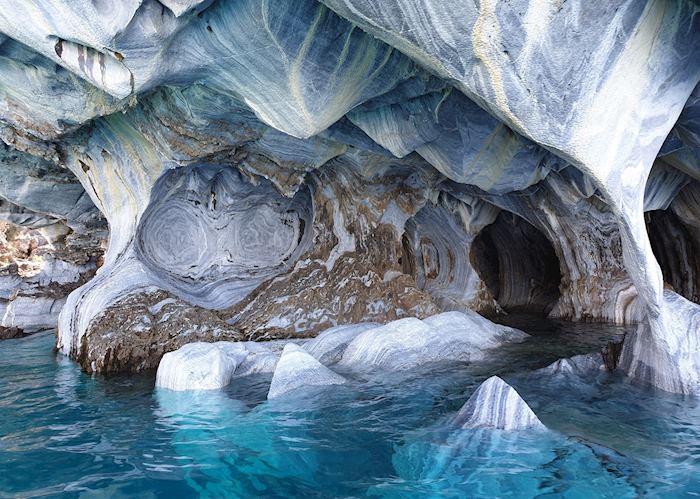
69	434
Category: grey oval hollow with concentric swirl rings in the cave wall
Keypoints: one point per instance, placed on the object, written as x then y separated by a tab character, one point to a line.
211	237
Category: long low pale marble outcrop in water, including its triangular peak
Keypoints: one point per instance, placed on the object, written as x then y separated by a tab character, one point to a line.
403	344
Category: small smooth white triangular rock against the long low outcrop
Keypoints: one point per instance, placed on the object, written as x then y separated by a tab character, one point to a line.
297	369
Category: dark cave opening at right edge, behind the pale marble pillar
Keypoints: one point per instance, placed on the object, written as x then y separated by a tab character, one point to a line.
676	248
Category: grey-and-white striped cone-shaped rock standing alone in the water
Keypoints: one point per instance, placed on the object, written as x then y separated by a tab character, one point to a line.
496	404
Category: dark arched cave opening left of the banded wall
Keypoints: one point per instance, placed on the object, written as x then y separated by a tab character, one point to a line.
518	265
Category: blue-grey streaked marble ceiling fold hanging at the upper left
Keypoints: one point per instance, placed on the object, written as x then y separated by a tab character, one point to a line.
296	64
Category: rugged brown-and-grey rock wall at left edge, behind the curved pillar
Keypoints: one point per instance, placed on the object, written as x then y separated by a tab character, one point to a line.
51	242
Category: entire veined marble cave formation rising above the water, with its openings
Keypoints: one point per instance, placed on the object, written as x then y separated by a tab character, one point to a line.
270	170
